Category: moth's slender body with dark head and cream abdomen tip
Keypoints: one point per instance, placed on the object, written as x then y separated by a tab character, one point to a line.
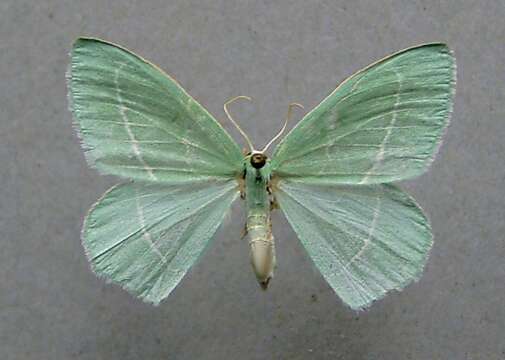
258	225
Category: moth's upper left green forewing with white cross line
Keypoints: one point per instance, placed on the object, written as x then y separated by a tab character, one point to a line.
137	122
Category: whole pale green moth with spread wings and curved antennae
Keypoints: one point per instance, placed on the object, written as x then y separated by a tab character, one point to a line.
330	175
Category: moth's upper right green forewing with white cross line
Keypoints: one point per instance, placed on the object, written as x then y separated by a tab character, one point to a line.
382	124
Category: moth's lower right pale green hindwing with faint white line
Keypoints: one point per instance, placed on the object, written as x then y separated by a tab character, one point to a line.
365	240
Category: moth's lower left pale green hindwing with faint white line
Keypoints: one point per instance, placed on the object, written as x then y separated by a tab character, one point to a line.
145	237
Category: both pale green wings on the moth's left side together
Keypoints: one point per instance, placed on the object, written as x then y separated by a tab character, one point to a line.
137	122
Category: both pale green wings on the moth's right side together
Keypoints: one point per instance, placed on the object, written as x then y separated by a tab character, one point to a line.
380	125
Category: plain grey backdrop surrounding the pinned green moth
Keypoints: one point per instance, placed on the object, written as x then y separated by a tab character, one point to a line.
53	307
